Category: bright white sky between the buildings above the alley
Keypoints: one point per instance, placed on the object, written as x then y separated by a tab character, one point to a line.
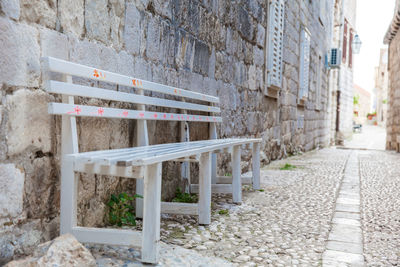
372	22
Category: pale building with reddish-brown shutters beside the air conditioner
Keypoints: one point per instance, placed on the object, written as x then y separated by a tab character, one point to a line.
341	80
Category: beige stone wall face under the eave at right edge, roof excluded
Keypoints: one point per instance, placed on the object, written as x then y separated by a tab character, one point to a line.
393	119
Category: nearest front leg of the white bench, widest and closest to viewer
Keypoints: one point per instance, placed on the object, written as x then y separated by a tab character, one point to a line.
151	213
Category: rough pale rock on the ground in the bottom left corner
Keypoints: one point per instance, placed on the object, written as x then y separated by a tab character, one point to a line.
62	251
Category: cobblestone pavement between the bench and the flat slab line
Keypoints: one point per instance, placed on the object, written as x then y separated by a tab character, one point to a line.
286	223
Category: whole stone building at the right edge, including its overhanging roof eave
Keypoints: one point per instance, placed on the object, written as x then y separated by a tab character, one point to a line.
392	38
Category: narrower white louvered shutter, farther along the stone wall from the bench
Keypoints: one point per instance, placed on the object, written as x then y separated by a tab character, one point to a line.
305	40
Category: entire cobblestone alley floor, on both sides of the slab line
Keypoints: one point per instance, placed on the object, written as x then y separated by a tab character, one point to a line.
289	221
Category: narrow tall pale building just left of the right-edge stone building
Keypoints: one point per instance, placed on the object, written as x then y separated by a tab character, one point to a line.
381	86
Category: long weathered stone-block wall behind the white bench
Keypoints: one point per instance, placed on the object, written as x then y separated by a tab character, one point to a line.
210	46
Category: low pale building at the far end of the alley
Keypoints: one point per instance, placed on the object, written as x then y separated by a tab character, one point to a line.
362	104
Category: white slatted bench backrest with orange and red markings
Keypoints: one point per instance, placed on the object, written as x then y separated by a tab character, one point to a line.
68	89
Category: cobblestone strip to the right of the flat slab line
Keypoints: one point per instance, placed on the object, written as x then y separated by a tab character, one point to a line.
380	202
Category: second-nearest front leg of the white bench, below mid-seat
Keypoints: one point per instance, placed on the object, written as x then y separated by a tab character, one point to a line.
205	188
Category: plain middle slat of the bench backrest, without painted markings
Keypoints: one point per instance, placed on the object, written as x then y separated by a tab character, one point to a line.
57	87
